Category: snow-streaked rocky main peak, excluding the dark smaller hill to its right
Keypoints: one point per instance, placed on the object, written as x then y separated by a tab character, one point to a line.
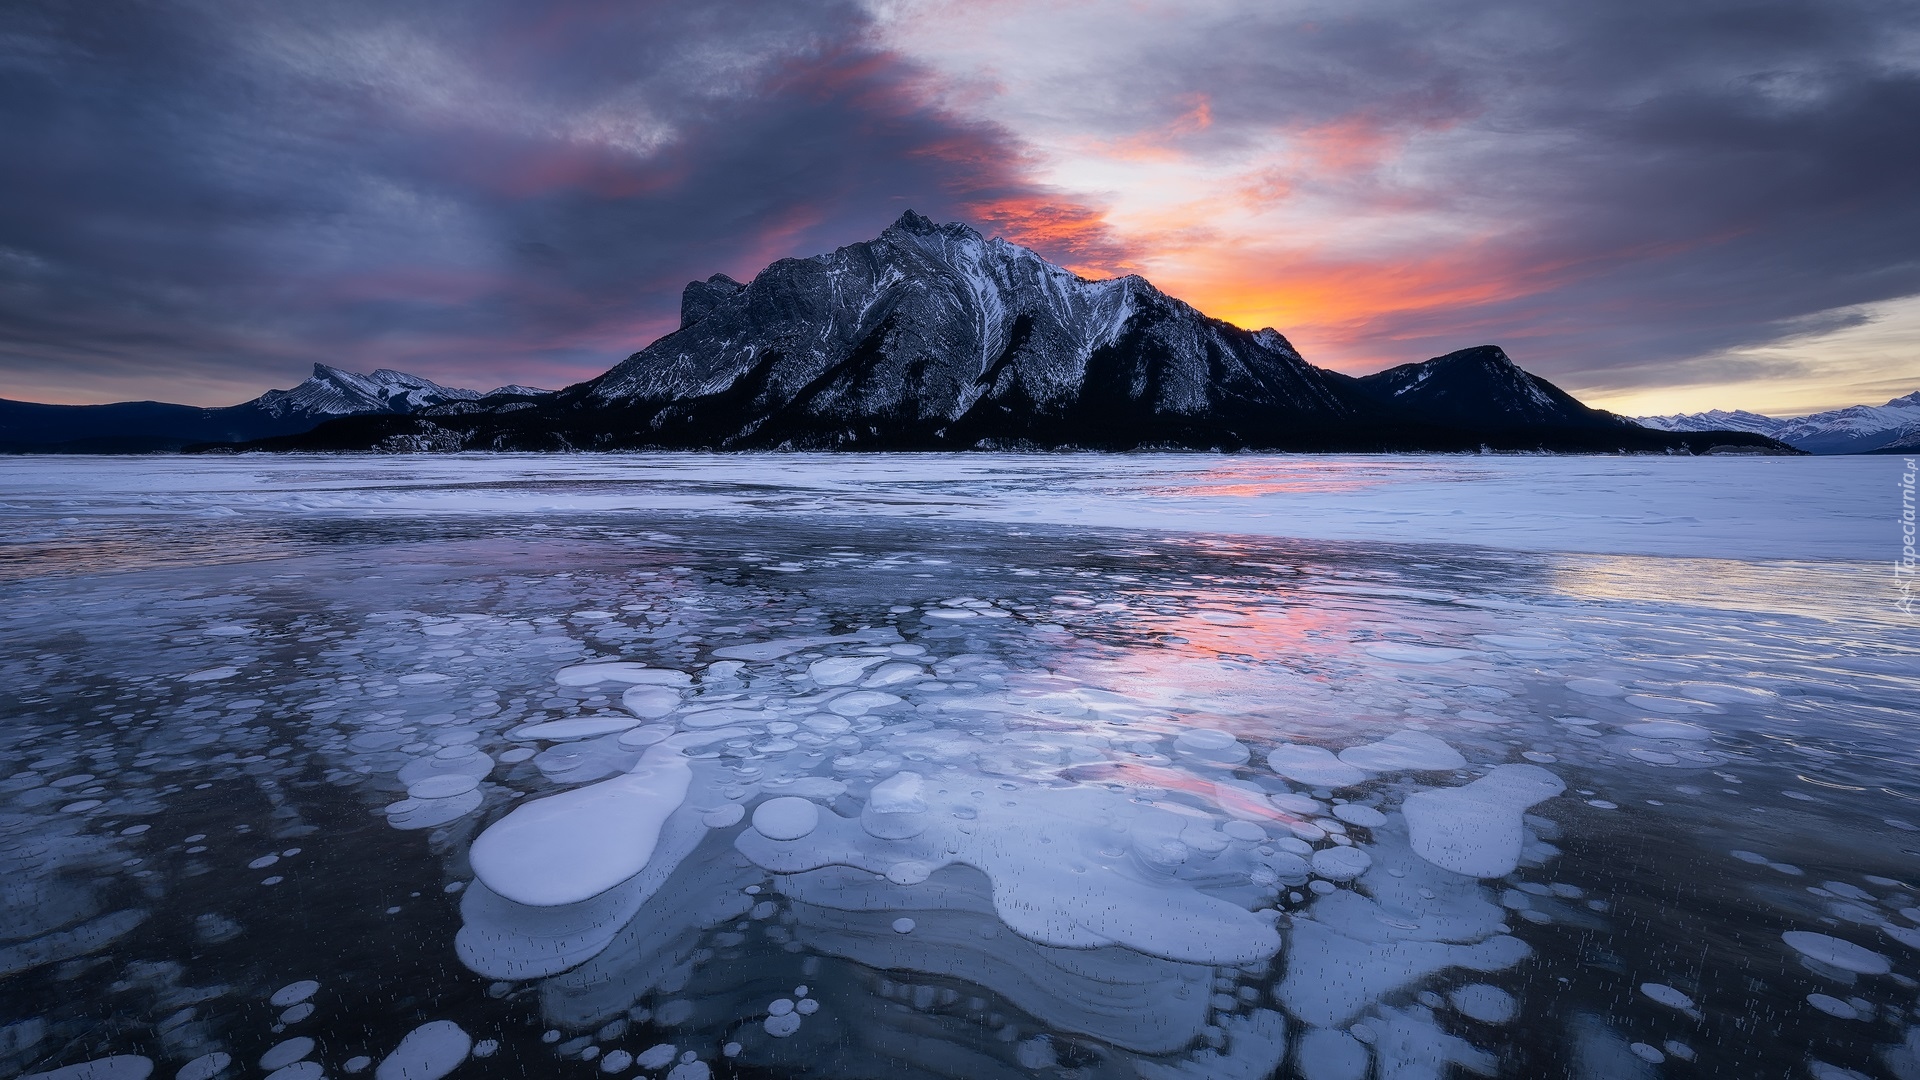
932	335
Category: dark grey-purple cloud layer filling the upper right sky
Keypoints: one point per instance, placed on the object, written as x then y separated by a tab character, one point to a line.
1675	180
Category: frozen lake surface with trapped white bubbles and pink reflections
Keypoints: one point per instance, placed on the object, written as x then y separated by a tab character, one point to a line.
1078	768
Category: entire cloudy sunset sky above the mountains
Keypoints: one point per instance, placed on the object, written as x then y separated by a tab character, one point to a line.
1658	207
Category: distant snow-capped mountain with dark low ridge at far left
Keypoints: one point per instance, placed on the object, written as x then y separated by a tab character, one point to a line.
145	428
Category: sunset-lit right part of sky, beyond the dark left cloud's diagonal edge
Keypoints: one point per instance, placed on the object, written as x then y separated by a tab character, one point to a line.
1625	195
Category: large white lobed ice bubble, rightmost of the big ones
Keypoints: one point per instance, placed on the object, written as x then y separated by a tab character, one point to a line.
1477	829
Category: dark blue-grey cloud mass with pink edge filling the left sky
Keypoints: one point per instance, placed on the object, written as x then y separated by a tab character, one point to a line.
201	201
